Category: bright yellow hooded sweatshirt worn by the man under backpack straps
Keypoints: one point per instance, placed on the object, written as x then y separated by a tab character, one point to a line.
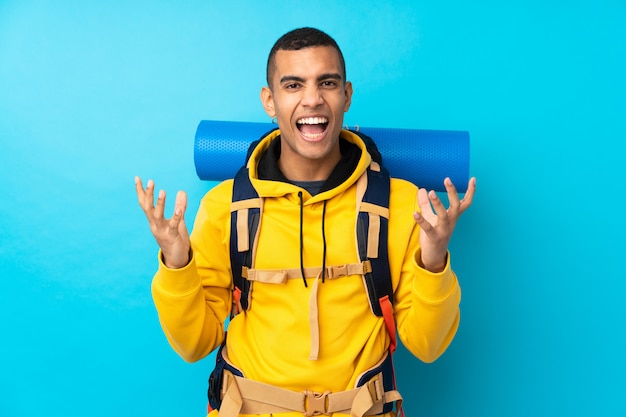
271	342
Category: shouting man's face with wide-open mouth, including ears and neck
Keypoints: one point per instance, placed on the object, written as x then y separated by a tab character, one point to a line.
308	96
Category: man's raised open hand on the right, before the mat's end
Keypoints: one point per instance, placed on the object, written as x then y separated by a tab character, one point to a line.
437	225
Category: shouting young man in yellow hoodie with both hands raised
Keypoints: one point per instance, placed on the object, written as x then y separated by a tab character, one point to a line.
308	339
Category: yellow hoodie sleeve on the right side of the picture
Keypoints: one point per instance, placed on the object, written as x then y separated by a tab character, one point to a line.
426	305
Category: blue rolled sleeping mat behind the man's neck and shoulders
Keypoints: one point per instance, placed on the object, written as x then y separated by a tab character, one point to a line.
423	157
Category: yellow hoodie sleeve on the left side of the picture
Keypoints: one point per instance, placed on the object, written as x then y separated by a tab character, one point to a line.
193	302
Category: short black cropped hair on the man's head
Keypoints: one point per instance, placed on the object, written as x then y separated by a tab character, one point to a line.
301	38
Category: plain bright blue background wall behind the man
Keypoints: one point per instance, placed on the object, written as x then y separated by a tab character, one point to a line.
92	94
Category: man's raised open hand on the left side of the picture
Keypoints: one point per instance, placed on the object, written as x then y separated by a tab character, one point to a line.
171	235
